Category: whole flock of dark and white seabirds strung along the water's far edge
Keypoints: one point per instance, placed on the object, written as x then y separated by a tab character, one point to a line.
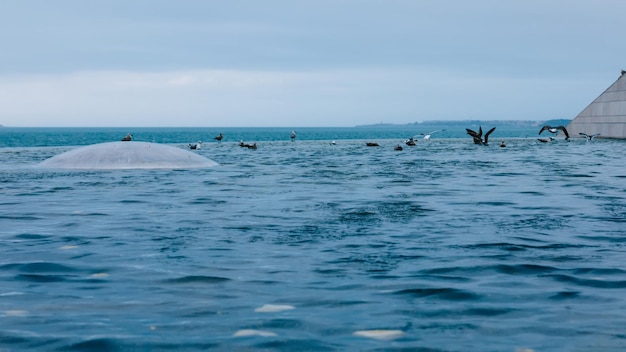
477	136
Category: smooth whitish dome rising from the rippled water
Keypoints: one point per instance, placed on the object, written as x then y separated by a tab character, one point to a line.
127	155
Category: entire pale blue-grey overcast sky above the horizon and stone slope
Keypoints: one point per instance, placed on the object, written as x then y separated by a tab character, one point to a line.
303	63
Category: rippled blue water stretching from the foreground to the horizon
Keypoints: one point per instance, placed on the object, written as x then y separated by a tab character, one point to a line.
310	246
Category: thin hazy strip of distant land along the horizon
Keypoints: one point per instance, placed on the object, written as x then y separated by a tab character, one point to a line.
469	123
